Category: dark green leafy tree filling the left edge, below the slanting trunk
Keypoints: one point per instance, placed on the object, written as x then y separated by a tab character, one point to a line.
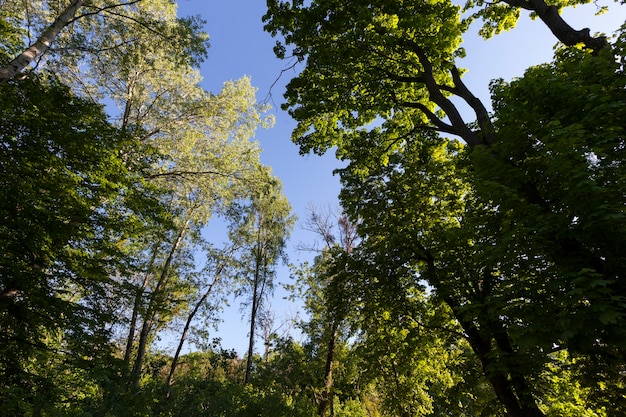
72	190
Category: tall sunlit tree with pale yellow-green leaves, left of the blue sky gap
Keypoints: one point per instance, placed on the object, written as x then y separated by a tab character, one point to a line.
206	156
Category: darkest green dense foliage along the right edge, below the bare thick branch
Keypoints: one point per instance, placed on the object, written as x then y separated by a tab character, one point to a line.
557	176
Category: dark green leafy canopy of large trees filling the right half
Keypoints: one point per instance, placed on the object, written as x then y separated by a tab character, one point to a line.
519	230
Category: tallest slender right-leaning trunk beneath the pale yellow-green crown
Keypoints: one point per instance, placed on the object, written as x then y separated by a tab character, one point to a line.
149	317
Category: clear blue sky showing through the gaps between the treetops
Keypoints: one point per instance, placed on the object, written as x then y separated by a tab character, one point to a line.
239	47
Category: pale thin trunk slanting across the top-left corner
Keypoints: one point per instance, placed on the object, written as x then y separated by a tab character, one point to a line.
41	45
